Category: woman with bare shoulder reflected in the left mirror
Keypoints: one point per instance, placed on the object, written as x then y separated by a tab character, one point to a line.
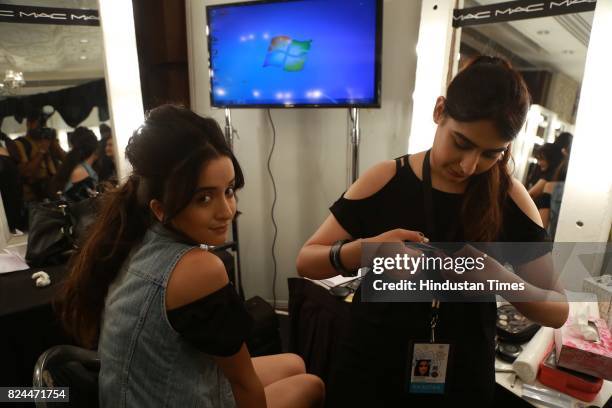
76	179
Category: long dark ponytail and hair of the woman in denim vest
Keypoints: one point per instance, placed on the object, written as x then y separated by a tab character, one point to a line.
167	153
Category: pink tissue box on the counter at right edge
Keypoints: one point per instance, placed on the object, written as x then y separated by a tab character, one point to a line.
593	357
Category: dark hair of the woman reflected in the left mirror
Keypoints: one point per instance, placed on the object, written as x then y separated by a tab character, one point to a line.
84	144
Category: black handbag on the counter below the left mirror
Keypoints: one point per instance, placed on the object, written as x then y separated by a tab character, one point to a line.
55	229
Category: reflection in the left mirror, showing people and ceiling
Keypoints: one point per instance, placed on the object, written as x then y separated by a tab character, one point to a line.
56	139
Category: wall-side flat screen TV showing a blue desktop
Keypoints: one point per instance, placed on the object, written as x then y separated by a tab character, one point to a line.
295	53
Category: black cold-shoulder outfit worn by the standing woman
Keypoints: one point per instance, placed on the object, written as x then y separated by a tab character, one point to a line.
370	368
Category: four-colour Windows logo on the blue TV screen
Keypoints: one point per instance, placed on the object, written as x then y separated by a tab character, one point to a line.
287	53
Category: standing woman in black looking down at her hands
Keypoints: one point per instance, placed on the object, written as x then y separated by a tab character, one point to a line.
472	198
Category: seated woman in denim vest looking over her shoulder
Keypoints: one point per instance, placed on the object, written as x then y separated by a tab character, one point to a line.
169	327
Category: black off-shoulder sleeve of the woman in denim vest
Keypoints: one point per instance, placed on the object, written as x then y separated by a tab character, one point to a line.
217	324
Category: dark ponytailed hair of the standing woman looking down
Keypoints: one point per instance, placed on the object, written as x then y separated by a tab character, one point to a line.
488	88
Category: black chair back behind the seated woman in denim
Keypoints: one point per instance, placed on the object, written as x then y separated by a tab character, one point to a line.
69	366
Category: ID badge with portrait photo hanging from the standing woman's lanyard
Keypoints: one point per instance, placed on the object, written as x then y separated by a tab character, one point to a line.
428	368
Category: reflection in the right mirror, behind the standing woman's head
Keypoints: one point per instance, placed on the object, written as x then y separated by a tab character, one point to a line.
550	53
